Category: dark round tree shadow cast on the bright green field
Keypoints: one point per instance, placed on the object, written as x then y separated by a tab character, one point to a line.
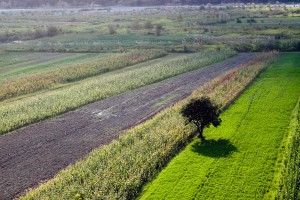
214	148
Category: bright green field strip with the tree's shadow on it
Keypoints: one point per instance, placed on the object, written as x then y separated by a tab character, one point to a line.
238	159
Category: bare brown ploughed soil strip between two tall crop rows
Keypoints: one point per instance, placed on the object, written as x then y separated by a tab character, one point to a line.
36	153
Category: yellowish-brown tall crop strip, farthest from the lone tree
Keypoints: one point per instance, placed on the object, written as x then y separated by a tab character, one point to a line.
35	82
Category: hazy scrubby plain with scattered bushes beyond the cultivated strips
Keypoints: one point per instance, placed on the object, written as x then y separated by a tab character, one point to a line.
175	29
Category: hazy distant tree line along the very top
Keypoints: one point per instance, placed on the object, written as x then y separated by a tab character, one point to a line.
40	3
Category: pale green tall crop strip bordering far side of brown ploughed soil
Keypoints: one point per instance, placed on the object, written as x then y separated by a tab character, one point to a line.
30	110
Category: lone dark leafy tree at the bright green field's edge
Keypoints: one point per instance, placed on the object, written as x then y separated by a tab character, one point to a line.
202	112
